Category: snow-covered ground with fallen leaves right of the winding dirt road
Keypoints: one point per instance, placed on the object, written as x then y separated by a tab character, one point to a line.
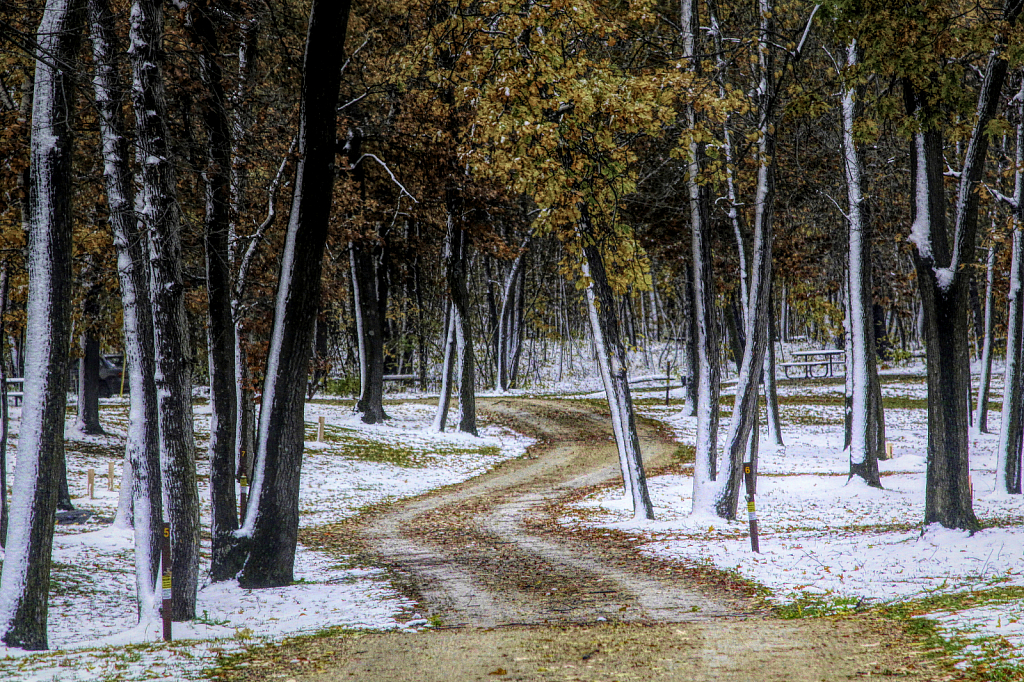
833	544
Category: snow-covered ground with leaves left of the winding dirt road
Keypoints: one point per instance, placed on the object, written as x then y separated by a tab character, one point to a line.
93	622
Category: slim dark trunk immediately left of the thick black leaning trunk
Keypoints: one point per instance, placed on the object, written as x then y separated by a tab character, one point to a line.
225	563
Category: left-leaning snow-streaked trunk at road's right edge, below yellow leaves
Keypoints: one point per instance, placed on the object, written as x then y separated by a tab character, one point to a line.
612	361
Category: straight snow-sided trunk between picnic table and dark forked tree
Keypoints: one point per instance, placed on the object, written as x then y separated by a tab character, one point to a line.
865	412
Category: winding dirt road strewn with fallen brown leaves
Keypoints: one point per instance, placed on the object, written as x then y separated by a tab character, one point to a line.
520	604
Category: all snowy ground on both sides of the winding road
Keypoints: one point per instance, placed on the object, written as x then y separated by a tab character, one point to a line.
826	545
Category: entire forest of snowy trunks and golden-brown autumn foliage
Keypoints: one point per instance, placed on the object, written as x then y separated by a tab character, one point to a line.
473	186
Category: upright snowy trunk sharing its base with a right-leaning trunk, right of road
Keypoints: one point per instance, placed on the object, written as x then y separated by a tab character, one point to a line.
705	320
